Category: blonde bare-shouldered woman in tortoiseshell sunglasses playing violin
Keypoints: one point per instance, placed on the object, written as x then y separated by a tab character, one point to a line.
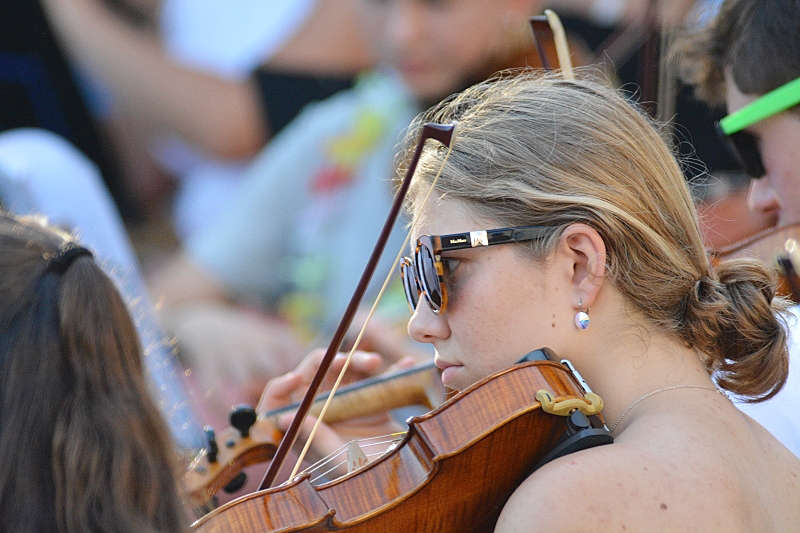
602	261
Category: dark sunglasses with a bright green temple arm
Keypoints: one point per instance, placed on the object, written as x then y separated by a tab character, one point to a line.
744	145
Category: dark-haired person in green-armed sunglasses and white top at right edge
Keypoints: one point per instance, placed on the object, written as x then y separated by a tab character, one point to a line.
748	57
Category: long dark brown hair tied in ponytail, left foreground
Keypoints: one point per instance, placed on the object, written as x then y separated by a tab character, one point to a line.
83	445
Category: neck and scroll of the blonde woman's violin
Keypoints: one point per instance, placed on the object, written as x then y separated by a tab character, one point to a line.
416	386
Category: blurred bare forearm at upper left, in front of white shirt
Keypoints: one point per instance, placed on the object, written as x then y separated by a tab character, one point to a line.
219	115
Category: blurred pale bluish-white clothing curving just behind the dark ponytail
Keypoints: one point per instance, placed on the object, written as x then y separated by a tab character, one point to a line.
43	174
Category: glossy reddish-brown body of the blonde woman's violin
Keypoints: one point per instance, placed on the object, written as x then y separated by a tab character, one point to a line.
453	471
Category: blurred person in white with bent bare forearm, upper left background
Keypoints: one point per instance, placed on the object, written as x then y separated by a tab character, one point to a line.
202	86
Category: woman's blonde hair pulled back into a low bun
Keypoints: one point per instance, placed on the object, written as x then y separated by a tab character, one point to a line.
533	149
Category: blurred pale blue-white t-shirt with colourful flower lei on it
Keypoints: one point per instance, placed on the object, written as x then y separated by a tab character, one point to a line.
298	233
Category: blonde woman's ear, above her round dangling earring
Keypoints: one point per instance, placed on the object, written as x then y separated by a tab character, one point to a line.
585	253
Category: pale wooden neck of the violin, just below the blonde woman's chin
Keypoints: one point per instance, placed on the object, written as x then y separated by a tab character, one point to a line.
415	386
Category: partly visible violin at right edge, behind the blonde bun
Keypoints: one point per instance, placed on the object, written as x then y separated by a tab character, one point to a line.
778	247
